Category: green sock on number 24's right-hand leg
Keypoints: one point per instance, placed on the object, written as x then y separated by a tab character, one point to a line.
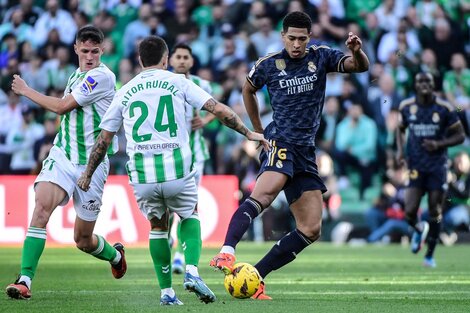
191	239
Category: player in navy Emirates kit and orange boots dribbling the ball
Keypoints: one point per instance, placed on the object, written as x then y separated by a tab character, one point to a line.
296	79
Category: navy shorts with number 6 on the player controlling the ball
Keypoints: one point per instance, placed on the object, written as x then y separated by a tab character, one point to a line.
296	161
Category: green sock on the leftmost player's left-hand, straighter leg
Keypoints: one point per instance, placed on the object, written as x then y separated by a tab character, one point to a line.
32	249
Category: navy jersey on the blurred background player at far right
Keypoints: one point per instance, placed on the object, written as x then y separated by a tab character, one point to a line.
426	122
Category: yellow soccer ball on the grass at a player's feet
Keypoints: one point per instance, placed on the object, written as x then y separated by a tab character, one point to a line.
243	282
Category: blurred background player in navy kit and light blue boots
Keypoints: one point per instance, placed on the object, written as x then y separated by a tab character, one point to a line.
432	125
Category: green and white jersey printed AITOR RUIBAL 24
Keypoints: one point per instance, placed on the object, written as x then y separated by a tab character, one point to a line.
152	108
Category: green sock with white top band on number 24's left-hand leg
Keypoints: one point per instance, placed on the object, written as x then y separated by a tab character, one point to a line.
161	256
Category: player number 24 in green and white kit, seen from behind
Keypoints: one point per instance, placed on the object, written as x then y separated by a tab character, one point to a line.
152	107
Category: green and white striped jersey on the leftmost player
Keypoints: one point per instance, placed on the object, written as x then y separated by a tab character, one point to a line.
93	90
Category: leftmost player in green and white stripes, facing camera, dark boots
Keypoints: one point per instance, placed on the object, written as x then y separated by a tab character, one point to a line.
88	94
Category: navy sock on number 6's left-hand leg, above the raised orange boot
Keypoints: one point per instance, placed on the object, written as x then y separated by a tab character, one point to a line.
241	220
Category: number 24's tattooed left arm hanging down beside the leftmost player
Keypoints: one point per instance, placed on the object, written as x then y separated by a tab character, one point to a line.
96	157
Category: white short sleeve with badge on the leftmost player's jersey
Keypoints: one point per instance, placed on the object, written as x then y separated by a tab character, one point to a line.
94	86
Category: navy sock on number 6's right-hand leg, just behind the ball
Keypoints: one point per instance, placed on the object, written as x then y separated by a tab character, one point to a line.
283	252
